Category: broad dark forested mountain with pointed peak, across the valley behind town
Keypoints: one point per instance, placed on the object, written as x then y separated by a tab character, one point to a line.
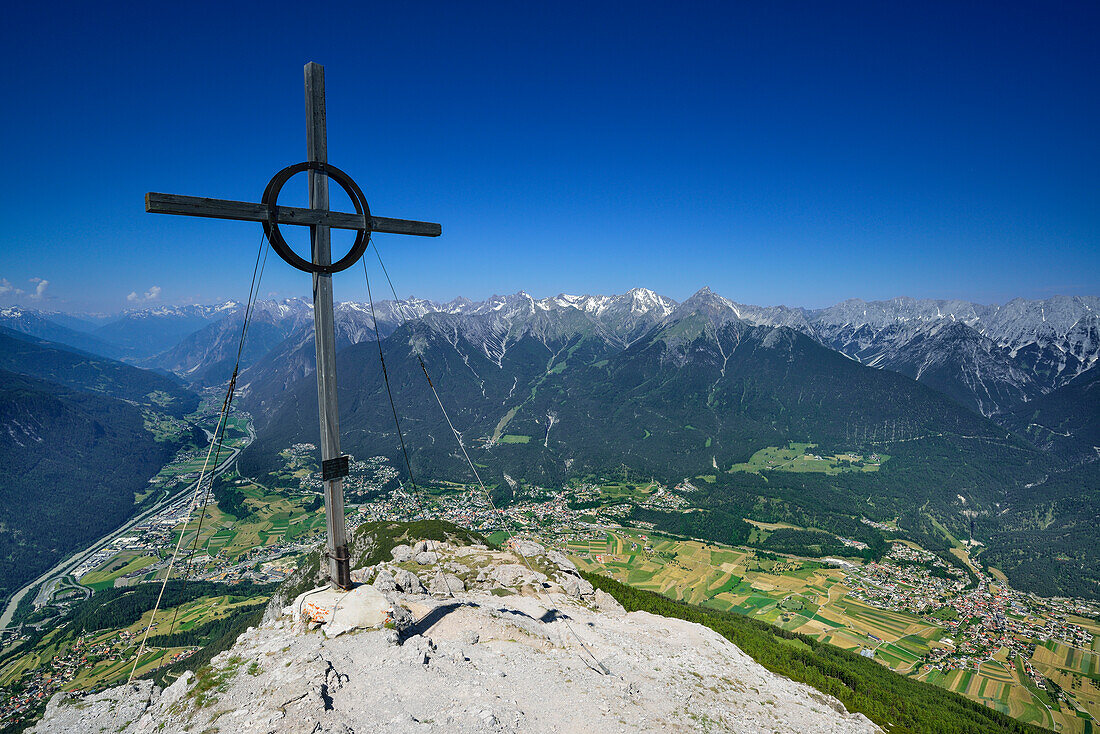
699	392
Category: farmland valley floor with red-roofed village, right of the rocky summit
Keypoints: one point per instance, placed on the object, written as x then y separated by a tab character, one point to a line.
1036	660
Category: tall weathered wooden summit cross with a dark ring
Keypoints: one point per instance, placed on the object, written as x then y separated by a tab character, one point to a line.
320	221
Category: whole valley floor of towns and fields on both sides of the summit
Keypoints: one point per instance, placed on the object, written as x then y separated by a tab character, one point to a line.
1030	658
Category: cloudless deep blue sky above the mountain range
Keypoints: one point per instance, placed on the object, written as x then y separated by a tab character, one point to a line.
795	154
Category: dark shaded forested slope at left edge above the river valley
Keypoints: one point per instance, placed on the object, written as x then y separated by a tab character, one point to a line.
72	464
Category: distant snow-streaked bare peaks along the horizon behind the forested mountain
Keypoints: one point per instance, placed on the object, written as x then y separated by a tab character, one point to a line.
991	359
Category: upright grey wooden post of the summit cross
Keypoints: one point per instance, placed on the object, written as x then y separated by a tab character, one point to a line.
325	337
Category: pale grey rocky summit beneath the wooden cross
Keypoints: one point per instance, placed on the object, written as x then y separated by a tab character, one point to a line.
470	640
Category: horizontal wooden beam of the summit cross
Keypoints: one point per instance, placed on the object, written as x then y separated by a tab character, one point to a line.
197	206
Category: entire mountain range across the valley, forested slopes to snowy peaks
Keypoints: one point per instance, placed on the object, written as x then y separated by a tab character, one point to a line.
980	411
